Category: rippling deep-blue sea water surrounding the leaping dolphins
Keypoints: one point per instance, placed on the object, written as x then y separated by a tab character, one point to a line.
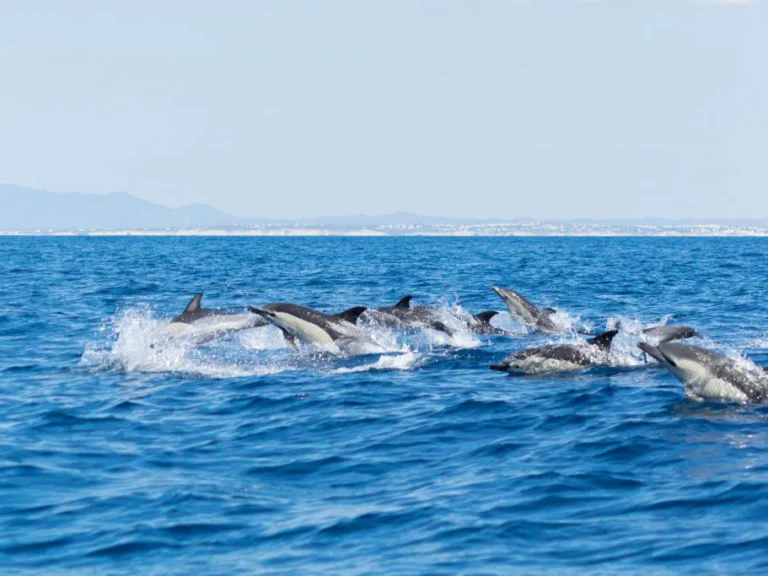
237	456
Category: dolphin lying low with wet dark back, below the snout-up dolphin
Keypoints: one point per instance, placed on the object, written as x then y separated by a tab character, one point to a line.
558	357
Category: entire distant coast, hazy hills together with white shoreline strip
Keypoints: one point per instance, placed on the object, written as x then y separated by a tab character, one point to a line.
31	212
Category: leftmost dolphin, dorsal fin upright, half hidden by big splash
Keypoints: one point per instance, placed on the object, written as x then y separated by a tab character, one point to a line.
203	323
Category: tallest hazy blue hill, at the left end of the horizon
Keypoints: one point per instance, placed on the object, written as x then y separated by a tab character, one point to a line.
28	209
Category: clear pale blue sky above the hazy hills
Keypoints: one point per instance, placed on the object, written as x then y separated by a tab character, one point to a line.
542	108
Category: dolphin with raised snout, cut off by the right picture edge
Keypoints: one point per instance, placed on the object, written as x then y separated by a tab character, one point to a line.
707	375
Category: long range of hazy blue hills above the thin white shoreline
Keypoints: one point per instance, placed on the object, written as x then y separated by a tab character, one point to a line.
26	209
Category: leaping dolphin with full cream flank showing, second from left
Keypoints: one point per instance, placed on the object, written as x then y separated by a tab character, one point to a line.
335	334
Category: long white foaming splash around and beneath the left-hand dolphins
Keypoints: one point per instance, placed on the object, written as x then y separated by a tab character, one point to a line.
139	341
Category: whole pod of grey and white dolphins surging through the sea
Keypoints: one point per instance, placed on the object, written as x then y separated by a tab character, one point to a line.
705	375
